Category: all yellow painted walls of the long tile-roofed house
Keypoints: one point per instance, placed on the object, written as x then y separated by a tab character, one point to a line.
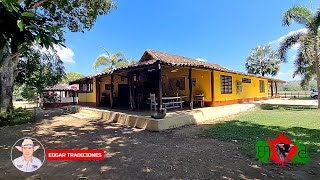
203	85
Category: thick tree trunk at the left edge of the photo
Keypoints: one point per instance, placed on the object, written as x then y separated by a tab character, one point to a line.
7	81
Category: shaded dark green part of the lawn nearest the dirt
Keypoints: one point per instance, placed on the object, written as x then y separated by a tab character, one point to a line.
247	134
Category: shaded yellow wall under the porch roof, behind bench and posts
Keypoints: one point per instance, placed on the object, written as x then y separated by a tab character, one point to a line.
203	82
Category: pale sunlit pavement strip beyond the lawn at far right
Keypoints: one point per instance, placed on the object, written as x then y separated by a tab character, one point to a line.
287	101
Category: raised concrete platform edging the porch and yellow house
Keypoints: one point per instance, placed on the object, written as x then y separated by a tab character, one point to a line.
172	120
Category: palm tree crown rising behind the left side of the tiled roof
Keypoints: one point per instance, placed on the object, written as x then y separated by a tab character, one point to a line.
112	61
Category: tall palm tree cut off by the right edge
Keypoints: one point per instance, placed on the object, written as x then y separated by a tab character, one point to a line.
307	60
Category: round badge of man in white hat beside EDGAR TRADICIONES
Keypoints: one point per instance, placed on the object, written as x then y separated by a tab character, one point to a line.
28	154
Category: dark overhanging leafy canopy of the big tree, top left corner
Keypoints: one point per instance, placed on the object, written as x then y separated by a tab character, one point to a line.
42	20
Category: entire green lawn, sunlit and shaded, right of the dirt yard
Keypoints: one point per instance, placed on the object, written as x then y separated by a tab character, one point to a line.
298	123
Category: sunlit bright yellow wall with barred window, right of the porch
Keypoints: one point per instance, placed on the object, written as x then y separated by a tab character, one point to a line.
249	90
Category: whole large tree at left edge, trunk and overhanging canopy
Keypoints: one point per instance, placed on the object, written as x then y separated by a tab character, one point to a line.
24	22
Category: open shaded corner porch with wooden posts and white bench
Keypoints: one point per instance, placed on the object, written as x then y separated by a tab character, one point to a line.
155	87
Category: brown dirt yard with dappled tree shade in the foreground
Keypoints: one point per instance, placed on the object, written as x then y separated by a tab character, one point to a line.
136	154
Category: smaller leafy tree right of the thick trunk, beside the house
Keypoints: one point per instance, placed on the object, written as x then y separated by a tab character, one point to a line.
38	69
